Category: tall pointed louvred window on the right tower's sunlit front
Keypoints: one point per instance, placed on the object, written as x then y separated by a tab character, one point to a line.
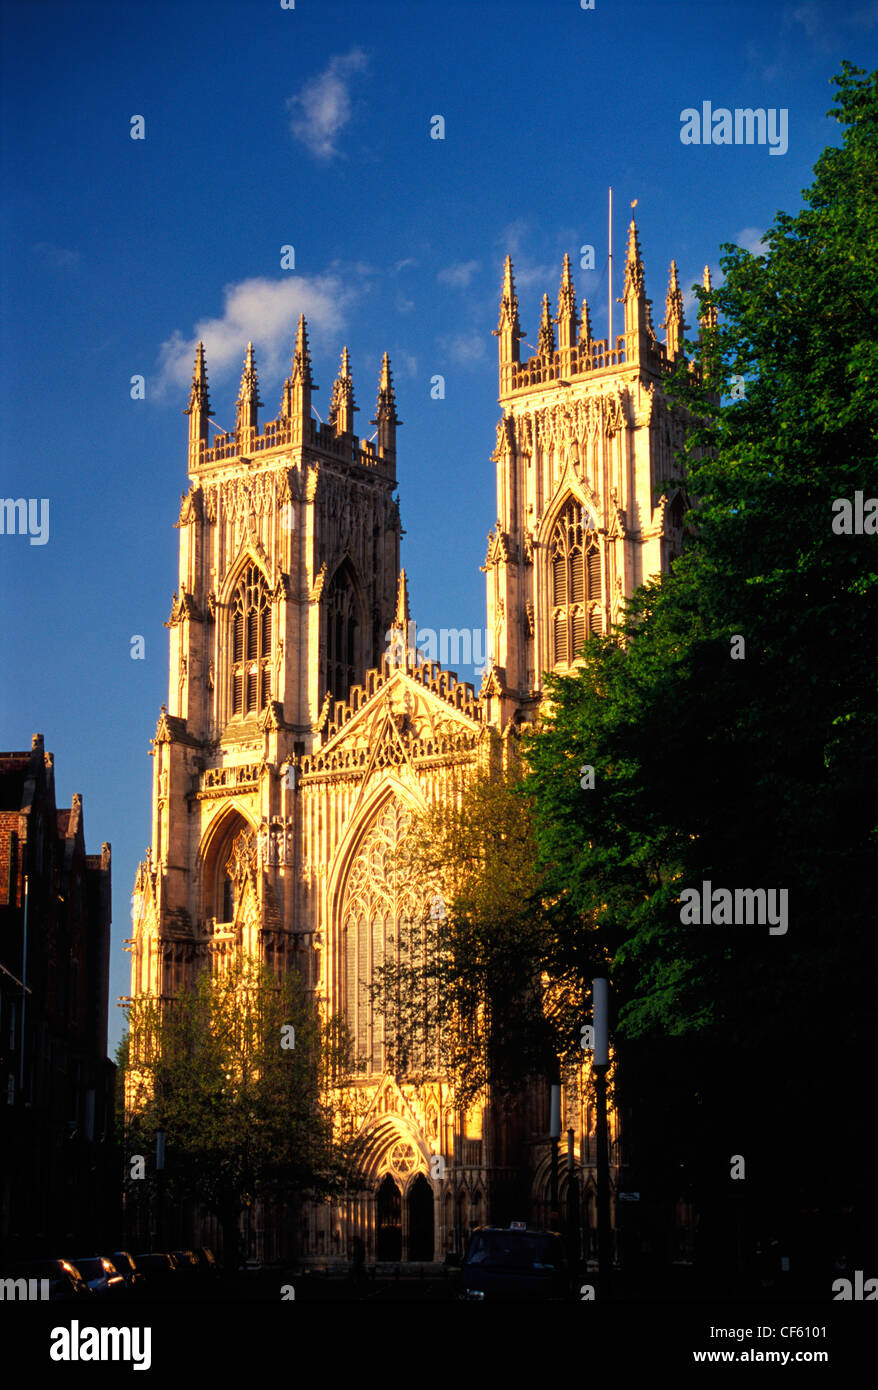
574	558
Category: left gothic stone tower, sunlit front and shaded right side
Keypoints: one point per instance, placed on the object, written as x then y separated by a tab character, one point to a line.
288	571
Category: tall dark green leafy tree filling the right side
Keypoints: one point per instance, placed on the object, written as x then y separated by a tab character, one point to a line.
752	772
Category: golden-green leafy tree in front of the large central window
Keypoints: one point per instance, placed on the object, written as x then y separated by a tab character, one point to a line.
465	986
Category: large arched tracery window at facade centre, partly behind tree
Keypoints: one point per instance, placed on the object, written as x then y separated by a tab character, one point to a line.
383	911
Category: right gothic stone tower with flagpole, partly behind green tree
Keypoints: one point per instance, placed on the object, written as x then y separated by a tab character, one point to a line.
586	440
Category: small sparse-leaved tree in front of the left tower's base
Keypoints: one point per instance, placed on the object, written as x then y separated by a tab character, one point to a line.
240	1074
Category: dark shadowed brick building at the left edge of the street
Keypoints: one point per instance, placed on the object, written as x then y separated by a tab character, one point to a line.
58	1160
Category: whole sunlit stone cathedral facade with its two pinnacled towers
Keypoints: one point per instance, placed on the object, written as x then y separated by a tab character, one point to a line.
298	742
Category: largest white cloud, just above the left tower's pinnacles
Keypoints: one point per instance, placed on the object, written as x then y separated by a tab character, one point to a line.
263	312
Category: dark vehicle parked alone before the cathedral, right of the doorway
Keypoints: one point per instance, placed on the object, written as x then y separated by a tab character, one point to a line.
515	1264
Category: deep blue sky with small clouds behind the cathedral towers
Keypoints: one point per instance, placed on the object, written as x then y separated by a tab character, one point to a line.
310	127
